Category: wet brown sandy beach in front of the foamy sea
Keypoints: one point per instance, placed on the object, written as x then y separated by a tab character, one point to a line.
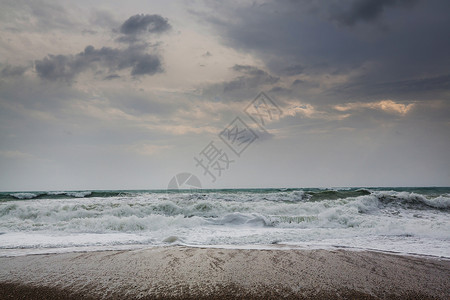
182	272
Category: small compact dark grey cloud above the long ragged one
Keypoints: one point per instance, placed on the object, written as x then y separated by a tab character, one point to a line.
144	23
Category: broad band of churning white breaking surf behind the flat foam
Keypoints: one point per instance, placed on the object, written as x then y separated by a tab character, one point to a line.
151	212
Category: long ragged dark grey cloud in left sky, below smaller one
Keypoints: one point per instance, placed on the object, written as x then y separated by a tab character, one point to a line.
67	67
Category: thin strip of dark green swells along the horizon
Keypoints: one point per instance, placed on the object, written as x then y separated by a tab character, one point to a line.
432	197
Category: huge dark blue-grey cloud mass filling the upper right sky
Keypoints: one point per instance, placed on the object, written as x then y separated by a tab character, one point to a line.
302	39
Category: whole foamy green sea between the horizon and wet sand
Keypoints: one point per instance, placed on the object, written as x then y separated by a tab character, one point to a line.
402	220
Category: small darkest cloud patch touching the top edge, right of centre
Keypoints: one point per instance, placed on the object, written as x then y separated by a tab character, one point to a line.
367	10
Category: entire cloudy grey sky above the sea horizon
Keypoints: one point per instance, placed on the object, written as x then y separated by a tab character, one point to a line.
283	93
